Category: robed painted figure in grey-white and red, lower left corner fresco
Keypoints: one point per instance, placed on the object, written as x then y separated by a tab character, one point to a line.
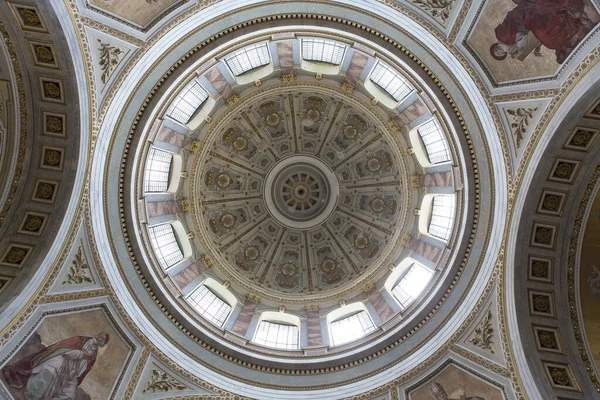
56	371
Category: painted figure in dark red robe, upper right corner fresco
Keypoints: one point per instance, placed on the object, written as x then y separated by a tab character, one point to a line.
558	25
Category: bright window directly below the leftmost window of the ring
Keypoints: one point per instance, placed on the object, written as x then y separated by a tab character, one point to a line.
169	243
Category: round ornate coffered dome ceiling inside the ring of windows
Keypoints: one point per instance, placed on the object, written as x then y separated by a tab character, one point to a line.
301	191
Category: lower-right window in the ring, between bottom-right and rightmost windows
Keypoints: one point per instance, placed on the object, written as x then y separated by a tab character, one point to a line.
405	297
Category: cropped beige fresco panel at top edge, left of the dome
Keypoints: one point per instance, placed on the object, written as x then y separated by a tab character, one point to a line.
138	12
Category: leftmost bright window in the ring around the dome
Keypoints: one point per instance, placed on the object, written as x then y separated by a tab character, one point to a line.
158	178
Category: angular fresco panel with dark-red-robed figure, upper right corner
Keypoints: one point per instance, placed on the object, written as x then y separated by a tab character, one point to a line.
524	39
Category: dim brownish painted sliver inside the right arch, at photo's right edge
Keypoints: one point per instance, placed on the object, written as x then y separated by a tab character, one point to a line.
589	284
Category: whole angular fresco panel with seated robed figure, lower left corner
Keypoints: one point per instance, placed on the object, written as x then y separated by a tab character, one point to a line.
76	356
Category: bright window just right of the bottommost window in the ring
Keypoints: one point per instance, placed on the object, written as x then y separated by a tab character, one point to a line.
353	324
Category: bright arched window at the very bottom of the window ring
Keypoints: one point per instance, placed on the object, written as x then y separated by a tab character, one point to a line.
280	324
